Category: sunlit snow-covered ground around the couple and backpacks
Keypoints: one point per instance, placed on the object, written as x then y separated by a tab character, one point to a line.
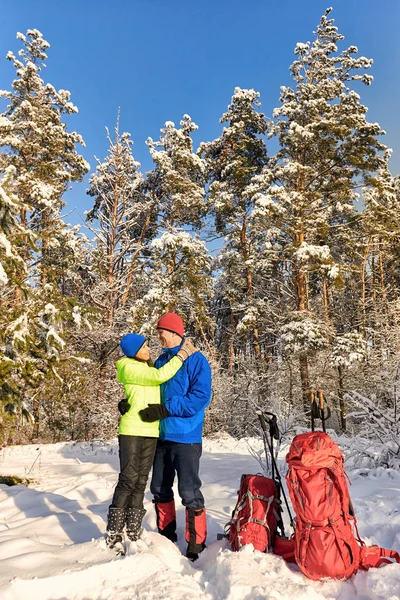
52	546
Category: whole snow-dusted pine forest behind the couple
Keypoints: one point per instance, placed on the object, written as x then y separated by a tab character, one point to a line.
302	293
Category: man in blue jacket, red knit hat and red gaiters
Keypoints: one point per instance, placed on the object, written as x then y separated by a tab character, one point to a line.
183	400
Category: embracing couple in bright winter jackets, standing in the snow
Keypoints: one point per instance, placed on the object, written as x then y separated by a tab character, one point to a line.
161	425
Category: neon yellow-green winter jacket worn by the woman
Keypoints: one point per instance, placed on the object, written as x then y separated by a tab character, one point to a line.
142	387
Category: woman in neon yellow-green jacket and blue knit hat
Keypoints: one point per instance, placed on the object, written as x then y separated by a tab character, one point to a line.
137	439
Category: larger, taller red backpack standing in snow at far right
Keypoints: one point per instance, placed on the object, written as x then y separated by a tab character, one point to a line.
327	543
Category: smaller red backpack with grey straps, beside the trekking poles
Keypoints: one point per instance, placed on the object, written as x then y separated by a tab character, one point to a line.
256	514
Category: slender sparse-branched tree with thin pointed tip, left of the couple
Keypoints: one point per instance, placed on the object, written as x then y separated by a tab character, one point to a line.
125	218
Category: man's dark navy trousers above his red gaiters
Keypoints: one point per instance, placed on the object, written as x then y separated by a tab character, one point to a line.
184	460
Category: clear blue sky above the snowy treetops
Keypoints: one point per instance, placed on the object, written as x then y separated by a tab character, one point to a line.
159	59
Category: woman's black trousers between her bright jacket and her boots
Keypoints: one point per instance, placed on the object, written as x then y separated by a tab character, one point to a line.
135	457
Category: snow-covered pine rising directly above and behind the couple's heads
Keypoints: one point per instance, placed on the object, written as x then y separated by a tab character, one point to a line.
180	275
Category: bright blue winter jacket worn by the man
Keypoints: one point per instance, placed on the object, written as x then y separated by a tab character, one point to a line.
185	396
